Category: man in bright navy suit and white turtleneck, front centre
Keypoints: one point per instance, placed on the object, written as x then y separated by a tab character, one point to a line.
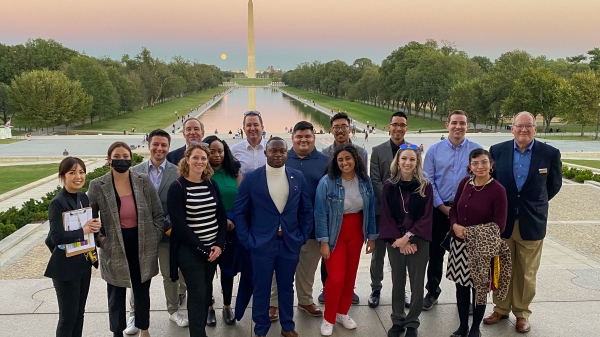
273	217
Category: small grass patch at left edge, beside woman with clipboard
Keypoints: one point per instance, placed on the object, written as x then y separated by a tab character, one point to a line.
12	177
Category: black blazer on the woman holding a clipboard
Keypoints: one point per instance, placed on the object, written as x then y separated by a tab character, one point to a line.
60	266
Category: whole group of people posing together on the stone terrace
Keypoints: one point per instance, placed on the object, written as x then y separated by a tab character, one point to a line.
272	213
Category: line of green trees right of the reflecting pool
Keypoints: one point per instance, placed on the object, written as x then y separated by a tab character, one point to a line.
434	78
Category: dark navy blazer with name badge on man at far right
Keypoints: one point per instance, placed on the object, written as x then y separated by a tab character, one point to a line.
543	182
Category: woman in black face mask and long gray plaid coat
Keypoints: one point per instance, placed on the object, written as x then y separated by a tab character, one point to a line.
132	227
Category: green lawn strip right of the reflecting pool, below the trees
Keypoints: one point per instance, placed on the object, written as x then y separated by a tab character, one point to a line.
364	113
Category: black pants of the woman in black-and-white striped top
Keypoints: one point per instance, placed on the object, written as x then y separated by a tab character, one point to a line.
198	274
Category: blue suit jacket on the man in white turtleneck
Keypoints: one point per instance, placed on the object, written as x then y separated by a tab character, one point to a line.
257	219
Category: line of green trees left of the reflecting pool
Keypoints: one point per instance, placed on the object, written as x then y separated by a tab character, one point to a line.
46	84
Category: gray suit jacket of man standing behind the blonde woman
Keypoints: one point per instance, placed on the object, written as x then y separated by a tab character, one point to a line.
379	171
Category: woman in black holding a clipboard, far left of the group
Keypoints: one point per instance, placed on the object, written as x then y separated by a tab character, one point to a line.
70	275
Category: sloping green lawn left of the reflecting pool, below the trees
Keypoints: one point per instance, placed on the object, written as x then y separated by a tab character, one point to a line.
159	116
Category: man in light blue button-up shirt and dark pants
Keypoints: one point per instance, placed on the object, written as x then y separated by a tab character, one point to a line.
446	165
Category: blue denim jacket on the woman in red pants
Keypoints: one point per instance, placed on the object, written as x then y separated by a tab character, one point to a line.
329	210
